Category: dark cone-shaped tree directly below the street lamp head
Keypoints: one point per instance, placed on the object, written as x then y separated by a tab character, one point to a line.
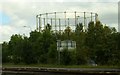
28	56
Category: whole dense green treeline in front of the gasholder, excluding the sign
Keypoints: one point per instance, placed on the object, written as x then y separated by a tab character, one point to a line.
98	43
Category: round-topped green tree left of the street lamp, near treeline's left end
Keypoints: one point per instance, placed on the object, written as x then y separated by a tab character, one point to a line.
15	46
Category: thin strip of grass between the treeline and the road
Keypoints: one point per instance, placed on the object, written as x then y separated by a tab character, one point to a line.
58	66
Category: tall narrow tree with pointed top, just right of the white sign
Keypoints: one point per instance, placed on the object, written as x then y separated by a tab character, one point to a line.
81	50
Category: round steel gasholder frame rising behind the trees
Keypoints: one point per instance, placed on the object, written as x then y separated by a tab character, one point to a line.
60	20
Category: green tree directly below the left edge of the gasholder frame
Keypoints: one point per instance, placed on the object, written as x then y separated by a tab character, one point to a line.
36	42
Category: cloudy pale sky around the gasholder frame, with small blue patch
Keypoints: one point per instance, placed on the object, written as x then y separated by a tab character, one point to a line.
15	14
